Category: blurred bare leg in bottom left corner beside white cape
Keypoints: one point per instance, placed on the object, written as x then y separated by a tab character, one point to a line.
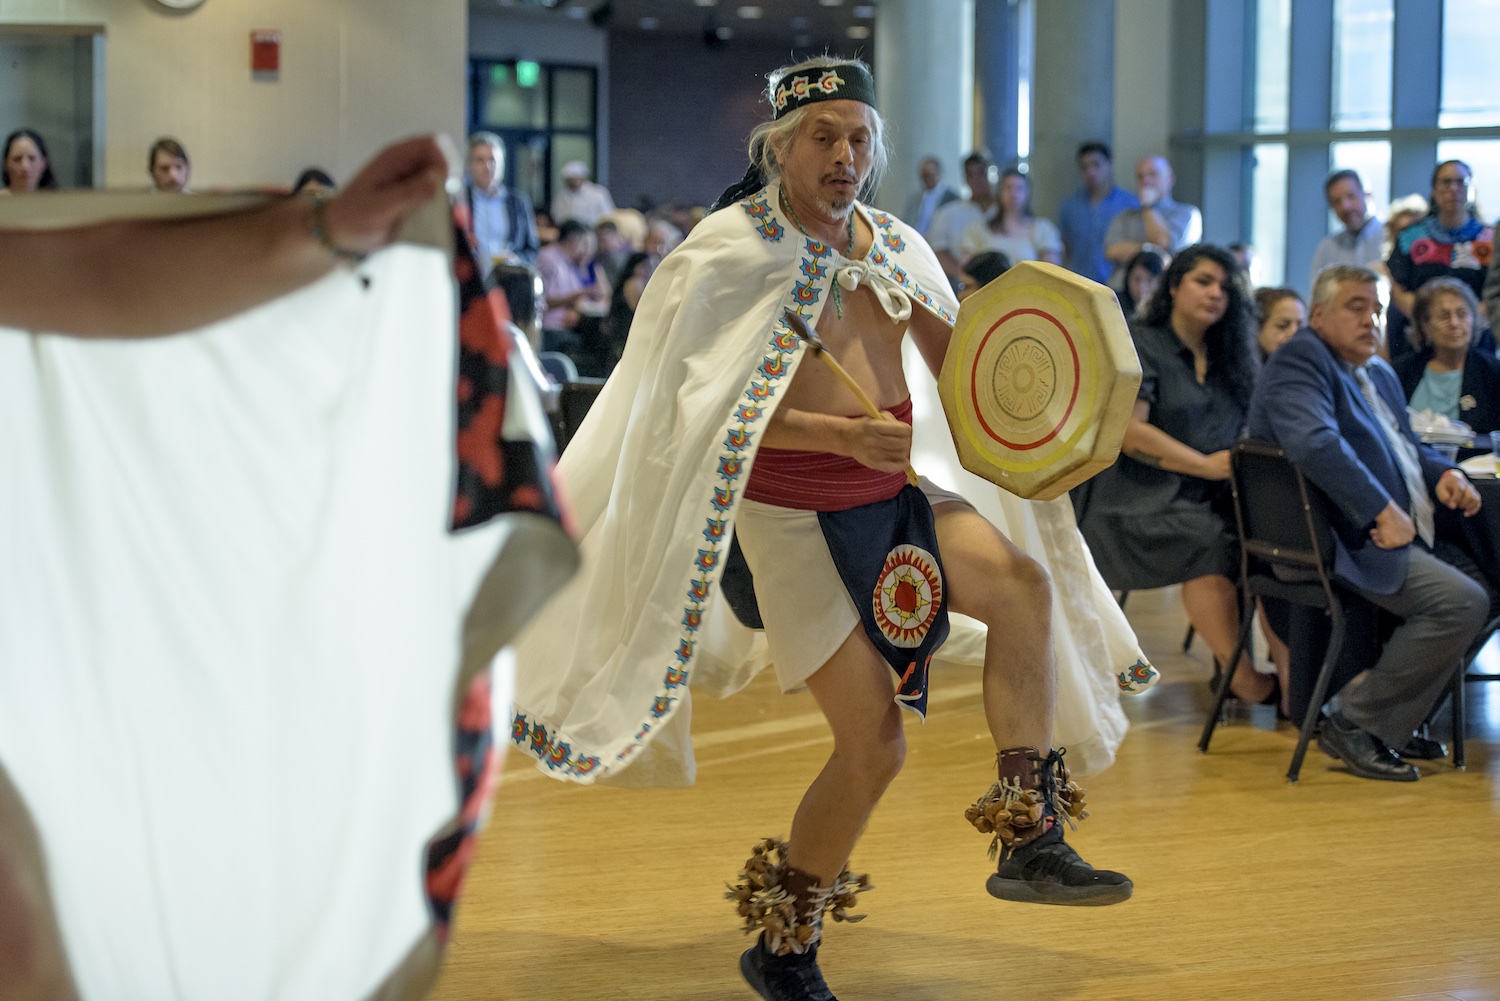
32	961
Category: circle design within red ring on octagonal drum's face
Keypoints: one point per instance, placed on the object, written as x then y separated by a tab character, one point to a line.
1033	377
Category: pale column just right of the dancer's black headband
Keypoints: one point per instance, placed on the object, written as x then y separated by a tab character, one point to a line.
925	89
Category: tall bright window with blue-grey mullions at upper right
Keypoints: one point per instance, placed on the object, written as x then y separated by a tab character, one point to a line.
1274	95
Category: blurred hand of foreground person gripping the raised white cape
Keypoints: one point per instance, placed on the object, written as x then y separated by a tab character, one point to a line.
365	214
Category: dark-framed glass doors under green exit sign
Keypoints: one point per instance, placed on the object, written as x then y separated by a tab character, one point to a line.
547	116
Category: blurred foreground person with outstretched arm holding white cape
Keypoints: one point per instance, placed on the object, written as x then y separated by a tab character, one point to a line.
245	657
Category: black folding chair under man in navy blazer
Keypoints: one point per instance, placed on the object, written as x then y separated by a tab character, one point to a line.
1282	526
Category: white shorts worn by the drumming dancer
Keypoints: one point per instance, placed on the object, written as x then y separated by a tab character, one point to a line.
805	604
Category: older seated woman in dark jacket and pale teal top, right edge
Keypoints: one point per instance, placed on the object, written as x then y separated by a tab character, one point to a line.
1447	374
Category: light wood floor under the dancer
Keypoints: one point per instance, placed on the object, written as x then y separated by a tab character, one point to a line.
1246	888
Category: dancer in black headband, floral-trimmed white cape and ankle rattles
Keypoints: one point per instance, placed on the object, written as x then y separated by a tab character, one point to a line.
715	427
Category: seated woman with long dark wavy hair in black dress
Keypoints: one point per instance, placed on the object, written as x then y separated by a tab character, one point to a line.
1160	516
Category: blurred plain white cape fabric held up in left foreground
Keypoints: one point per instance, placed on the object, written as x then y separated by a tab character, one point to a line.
232	636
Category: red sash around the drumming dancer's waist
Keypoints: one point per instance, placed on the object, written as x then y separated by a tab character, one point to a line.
823	481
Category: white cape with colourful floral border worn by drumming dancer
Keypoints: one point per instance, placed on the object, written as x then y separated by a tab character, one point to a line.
656	473
